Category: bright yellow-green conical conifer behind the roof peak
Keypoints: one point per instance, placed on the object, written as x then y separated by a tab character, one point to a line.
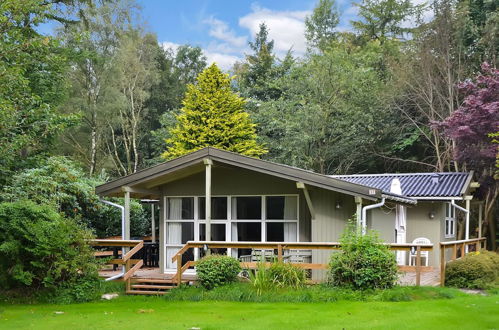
213	115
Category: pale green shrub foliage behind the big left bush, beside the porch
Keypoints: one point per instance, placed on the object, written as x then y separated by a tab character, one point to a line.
63	185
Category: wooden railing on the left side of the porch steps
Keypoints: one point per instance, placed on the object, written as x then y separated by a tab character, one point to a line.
131	265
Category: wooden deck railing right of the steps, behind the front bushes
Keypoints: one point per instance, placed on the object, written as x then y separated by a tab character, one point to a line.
282	246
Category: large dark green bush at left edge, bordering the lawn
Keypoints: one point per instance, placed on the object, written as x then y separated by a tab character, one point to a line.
42	250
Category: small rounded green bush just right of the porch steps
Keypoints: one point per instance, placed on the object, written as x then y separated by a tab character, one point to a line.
217	270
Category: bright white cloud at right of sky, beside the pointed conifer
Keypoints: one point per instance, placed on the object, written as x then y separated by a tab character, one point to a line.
287	28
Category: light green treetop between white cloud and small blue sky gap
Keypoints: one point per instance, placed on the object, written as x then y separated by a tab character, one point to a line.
320	26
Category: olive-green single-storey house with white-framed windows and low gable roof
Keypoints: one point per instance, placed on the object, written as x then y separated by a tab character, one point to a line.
254	200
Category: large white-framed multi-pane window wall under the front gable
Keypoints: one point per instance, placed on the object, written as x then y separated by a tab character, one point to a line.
271	218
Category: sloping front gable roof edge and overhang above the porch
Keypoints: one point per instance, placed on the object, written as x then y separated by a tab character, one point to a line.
145	183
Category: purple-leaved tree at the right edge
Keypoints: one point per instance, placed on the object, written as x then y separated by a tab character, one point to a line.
469	127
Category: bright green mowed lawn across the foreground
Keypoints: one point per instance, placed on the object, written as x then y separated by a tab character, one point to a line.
471	312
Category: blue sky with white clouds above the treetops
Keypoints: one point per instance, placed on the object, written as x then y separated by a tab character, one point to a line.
222	28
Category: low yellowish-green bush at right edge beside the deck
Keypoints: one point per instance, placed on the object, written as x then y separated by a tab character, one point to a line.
478	270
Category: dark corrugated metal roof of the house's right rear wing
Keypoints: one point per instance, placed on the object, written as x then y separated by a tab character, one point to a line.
417	185
